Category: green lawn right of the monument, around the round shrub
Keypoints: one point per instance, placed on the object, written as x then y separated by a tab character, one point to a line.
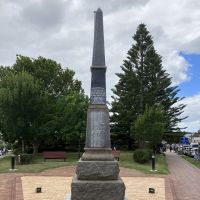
126	160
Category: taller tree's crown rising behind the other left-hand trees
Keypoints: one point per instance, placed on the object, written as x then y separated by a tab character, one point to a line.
53	78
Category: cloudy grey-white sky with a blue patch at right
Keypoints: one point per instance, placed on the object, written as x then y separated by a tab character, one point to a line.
62	30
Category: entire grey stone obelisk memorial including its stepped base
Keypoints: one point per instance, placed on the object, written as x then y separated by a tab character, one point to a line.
97	173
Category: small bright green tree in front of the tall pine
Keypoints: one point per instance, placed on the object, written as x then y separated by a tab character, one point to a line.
149	127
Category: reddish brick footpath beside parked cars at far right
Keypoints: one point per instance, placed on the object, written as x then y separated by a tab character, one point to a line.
184	178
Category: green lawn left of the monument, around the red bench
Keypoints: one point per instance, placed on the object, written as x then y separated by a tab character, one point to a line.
38	164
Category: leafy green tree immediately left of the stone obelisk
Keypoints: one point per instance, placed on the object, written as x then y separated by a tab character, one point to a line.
70	117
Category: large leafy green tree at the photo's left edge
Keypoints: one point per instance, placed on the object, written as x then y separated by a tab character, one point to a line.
22	105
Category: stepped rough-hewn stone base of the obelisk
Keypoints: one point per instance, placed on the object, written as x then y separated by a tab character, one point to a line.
97	177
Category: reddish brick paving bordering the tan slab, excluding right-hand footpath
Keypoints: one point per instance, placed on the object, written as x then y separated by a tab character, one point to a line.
11	186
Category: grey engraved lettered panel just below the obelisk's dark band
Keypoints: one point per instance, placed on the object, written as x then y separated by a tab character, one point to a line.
98	95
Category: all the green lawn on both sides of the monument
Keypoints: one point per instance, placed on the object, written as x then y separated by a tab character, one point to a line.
126	160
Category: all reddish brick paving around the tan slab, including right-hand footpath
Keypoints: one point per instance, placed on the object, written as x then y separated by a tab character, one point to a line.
181	184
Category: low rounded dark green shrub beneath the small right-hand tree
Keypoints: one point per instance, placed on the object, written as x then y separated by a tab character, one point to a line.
142	155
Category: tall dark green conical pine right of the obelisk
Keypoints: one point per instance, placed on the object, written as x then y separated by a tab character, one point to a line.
142	82
